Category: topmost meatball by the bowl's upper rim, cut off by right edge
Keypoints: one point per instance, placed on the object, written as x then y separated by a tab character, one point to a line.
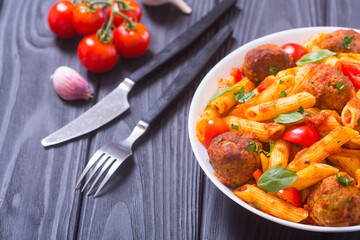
333	41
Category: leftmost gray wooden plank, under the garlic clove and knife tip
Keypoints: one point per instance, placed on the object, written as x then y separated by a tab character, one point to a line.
37	195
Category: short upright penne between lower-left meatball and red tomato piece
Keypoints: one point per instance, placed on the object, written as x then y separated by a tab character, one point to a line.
280	153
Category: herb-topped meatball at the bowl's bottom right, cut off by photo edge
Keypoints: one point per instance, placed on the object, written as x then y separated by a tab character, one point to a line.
333	204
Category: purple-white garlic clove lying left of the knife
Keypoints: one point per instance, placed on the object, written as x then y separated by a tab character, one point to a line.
70	85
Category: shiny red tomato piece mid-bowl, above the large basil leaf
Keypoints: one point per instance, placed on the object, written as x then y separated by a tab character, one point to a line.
301	134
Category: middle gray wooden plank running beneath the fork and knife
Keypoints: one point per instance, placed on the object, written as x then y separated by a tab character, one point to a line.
161	187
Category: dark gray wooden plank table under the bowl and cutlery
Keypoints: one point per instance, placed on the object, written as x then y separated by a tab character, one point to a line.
161	192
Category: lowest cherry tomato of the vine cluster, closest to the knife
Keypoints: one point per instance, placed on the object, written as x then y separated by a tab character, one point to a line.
95	55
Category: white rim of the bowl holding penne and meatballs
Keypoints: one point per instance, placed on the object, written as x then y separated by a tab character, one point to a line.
194	116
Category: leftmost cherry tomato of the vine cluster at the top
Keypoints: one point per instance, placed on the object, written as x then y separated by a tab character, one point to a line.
60	19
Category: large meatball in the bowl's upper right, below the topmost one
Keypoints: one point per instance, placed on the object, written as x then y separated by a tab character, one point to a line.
331	89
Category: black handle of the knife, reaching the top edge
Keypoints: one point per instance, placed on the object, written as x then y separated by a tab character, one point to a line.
181	42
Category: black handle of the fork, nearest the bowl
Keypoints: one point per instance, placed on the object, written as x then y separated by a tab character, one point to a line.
187	76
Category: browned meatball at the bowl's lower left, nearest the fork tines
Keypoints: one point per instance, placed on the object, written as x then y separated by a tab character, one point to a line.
232	162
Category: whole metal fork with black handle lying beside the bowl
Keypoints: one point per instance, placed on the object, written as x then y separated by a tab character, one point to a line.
112	155
